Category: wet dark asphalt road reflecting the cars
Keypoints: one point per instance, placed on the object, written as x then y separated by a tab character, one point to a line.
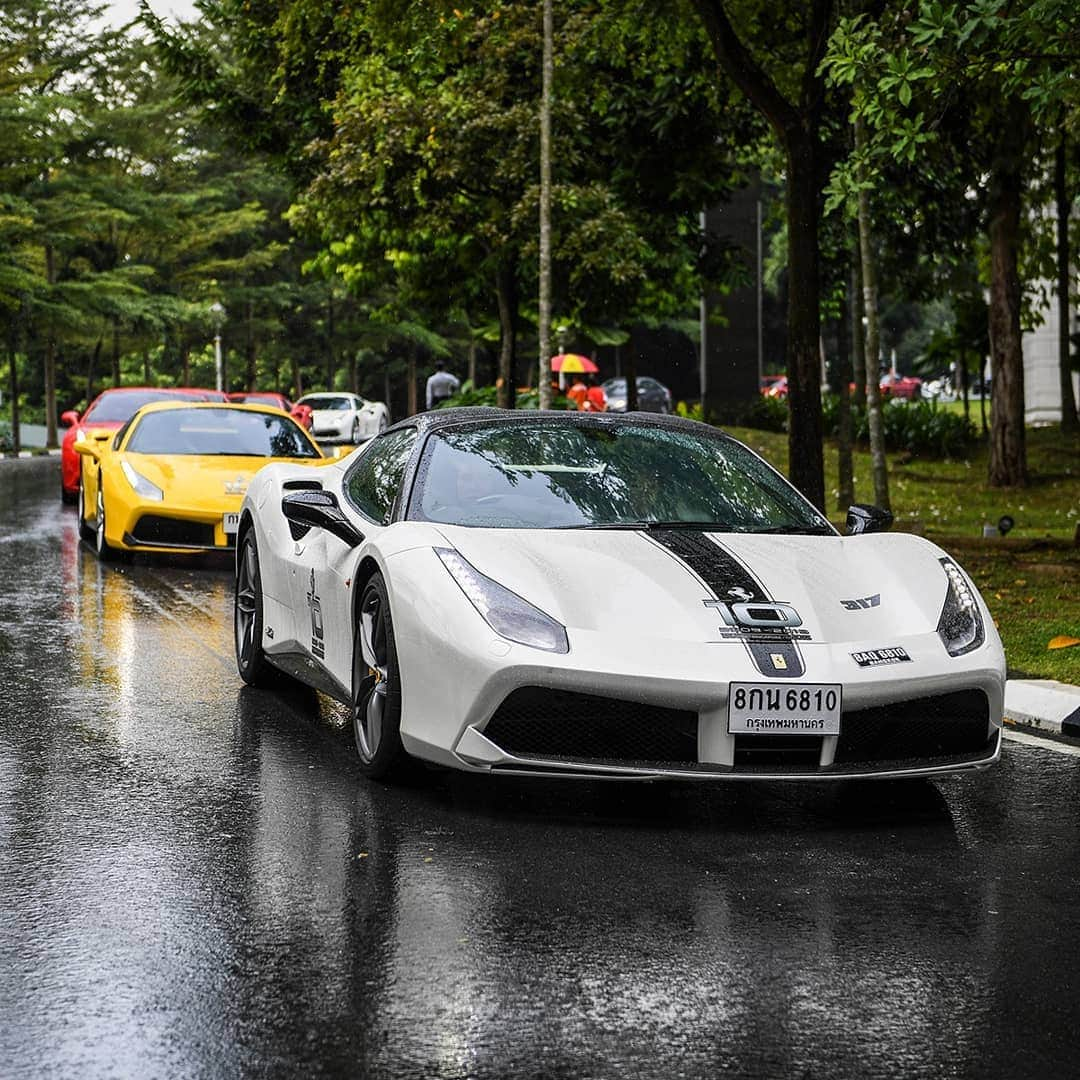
196	882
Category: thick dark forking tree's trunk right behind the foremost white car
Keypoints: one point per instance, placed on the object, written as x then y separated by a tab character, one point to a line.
805	436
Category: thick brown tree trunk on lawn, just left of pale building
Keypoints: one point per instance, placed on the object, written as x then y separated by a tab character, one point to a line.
1008	466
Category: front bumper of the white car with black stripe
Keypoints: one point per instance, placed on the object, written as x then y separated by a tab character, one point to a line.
458	678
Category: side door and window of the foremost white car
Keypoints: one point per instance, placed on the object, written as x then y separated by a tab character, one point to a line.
325	565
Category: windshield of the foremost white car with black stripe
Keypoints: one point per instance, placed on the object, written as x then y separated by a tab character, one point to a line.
546	476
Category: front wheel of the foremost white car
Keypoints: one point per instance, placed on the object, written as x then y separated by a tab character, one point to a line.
376	686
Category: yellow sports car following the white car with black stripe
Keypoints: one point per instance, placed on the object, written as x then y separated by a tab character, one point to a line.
172	479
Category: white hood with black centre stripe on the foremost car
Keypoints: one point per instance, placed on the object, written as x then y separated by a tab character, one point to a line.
843	589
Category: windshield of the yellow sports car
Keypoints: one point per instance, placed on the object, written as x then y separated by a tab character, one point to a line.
221	431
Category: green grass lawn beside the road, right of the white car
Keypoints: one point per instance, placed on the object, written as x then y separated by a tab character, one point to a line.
1032	579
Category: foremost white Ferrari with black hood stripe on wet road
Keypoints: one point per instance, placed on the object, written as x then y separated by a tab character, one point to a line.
610	596
